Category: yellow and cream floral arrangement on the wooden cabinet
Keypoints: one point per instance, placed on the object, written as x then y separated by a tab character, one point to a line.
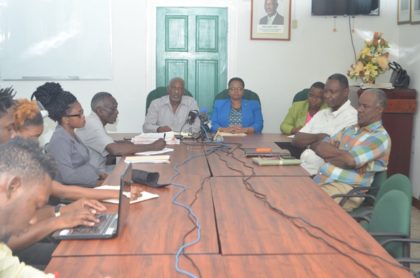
372	60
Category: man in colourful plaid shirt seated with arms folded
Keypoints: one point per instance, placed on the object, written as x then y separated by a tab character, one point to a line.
356	153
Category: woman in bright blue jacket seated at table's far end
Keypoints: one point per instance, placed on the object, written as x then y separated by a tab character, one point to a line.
235	114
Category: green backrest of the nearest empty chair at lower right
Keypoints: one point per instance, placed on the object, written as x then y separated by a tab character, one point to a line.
392	214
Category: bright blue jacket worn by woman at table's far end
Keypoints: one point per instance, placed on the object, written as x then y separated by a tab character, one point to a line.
251	114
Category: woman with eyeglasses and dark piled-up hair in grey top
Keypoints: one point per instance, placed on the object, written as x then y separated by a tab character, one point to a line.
70	154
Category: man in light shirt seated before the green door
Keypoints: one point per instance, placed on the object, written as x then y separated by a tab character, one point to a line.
171	112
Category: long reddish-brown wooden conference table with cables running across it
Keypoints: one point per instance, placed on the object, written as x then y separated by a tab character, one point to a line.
252	221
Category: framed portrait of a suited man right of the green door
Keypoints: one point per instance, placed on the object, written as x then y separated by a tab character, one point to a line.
276	27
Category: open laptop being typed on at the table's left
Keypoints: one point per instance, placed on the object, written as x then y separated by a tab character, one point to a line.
110	223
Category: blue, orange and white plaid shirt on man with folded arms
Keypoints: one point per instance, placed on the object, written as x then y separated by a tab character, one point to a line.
370	147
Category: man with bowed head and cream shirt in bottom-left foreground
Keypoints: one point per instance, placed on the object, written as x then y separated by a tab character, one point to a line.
25	184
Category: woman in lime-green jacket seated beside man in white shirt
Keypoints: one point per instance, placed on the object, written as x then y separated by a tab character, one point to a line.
302	112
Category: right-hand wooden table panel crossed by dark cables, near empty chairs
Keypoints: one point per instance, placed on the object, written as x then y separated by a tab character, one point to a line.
246	225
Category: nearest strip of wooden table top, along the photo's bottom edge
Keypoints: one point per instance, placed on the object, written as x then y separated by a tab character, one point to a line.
322	266
